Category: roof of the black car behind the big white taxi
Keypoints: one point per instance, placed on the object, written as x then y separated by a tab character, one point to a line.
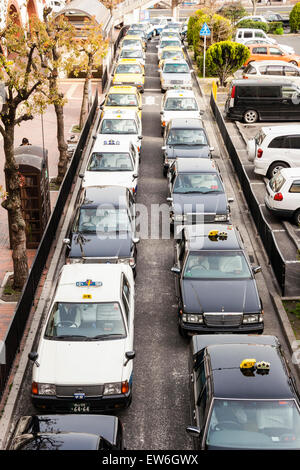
115	196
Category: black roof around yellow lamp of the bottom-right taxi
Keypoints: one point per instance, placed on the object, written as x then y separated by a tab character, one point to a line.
229	381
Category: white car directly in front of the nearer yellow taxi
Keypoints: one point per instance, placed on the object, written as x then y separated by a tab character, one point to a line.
125	122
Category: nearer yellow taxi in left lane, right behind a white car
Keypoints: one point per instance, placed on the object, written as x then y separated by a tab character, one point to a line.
123	97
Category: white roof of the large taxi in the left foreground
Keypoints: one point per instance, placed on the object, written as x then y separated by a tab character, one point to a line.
107	275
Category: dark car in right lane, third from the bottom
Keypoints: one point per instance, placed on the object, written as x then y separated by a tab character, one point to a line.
196	193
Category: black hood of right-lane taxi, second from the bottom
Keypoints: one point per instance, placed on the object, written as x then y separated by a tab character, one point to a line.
216	296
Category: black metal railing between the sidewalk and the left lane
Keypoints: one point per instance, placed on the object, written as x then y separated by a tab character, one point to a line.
16	329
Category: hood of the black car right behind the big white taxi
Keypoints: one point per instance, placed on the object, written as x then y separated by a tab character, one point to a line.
97	245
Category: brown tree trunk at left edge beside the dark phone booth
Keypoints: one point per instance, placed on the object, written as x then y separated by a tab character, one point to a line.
13	205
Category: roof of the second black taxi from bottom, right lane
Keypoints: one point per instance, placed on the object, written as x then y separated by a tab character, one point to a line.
198	239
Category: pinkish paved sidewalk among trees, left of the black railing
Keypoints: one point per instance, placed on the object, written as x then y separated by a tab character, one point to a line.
33	131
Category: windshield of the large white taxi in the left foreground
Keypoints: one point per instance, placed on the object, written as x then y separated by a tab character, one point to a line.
84	321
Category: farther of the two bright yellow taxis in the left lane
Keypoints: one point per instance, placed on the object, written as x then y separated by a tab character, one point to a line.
129	72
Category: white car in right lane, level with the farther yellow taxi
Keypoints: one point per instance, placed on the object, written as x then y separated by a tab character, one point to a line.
175	74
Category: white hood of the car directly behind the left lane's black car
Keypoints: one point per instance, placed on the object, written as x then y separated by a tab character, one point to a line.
108	178
